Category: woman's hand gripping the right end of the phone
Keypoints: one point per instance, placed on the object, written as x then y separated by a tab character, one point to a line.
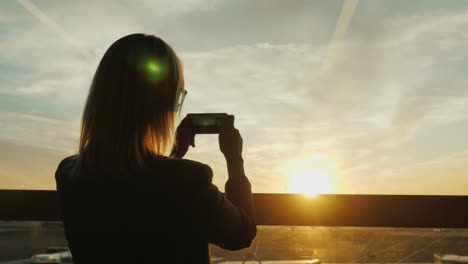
230	140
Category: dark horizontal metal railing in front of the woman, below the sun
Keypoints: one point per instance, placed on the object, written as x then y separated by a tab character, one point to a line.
292	209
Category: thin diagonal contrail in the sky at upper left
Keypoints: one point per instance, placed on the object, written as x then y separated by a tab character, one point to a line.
46	20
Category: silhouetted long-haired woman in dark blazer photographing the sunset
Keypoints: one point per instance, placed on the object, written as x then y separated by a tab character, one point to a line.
122	200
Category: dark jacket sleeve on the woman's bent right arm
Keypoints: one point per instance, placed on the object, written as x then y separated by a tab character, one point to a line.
230	216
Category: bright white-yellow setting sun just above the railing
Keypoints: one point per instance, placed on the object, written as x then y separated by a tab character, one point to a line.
310	175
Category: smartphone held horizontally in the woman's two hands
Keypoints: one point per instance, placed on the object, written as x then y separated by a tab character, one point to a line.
206	123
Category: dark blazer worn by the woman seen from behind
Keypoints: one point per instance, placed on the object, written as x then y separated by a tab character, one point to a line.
167	213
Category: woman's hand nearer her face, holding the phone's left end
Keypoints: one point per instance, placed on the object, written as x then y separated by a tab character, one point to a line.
185	137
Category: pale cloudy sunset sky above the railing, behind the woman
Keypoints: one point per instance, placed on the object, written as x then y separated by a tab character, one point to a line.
358	97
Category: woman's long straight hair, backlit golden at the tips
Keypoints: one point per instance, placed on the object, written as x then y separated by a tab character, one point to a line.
132	103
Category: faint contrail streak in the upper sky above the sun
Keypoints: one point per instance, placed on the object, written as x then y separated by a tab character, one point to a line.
346	14
